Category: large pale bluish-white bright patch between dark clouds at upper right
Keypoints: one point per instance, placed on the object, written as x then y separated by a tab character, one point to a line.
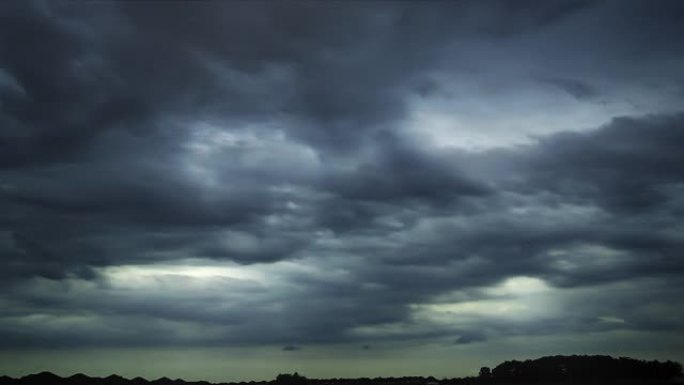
510	115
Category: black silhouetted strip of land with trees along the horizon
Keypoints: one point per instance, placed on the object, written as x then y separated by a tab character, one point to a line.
561	370
